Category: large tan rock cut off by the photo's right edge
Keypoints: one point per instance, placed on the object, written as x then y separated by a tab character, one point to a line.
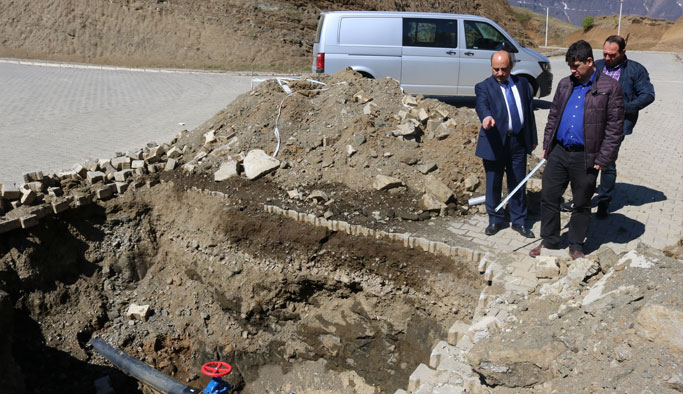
661	325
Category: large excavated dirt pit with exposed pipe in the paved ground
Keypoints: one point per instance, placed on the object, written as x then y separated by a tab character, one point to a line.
291	306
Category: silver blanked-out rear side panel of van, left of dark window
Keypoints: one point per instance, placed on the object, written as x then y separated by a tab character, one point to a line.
370	31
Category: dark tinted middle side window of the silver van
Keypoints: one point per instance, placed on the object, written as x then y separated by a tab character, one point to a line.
433	33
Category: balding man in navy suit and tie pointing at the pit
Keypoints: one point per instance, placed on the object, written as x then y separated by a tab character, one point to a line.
507	135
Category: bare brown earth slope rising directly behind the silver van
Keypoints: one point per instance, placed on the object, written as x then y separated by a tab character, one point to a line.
234	34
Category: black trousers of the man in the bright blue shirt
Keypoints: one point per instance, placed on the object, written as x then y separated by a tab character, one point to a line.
565	168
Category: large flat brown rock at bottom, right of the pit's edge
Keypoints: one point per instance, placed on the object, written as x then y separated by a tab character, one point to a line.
528	363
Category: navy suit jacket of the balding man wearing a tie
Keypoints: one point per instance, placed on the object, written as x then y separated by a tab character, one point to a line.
491	102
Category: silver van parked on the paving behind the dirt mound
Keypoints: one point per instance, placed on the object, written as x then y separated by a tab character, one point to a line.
428	53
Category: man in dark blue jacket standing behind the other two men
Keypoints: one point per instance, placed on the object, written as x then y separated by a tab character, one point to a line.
638	94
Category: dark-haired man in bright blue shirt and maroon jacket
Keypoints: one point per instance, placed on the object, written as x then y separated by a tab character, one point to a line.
582	137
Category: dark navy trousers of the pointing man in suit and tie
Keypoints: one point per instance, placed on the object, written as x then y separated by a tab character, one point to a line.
513	164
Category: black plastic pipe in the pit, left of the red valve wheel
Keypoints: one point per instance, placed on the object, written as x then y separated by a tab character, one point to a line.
140	370
